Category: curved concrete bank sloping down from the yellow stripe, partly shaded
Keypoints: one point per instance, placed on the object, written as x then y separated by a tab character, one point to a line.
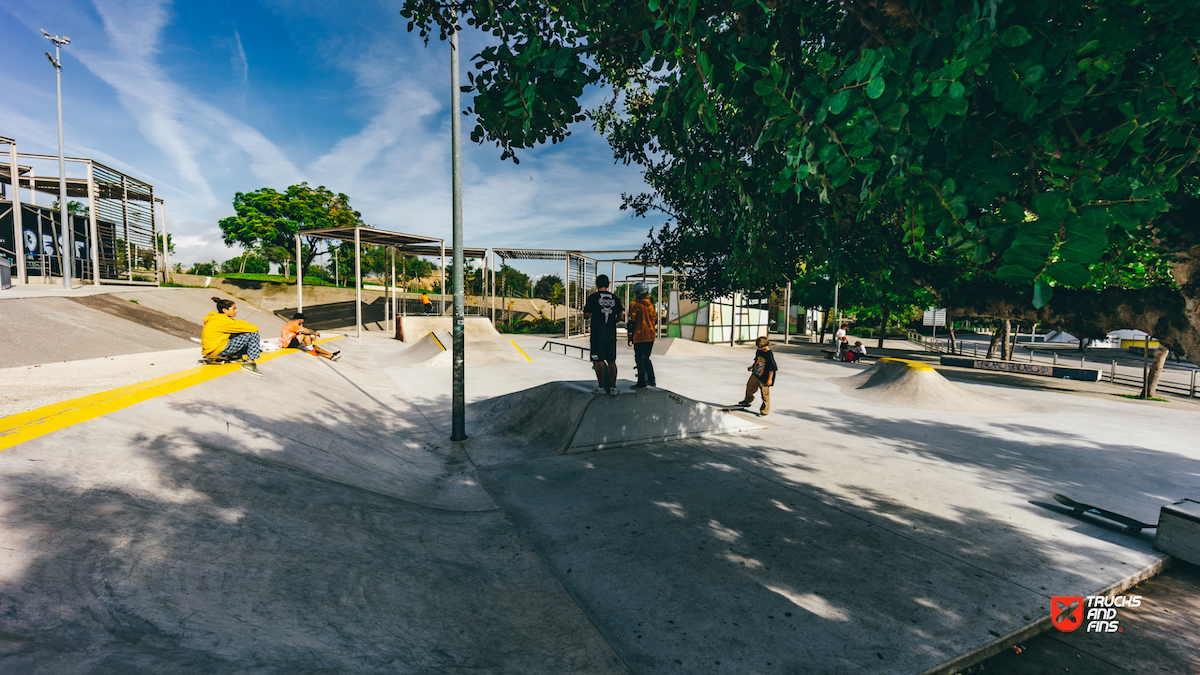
203	537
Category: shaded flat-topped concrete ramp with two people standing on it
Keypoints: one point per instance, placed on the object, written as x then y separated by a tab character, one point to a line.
567	419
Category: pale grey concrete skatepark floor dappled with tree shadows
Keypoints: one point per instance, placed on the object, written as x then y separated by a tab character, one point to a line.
320	521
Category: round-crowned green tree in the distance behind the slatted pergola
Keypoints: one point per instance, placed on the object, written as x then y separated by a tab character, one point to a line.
269	220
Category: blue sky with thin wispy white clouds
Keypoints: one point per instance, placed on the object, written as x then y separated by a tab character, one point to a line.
207	99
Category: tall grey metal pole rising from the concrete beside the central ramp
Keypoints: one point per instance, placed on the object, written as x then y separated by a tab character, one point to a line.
459	427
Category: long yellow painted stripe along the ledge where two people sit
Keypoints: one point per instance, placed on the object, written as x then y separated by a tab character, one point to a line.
28	426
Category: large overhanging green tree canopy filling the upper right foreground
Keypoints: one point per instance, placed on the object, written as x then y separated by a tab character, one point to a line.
1018	150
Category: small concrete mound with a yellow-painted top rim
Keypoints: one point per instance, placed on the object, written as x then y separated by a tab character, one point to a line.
915	385
